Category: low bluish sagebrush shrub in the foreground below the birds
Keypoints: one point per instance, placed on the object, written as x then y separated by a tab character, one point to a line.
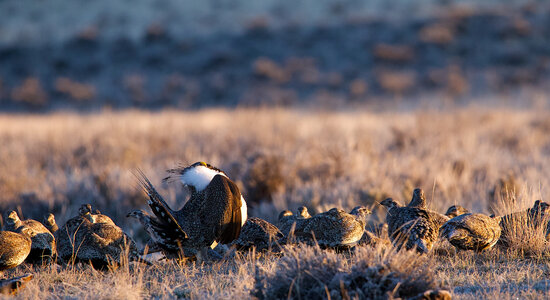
366	273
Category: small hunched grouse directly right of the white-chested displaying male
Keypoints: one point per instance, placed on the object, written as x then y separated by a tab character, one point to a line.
259	234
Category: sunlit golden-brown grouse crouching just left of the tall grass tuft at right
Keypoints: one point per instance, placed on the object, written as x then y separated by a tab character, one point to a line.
469	231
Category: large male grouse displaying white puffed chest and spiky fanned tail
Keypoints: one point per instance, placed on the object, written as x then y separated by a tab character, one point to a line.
214	213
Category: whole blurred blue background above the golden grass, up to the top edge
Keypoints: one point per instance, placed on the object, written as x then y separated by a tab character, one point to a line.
187	54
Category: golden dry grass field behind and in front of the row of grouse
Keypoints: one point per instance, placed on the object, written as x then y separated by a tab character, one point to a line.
283	159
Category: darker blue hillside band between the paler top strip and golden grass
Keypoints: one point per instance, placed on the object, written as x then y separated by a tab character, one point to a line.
452	54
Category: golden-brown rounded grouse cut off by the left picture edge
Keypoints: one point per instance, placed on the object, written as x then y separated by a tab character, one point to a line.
14	248
